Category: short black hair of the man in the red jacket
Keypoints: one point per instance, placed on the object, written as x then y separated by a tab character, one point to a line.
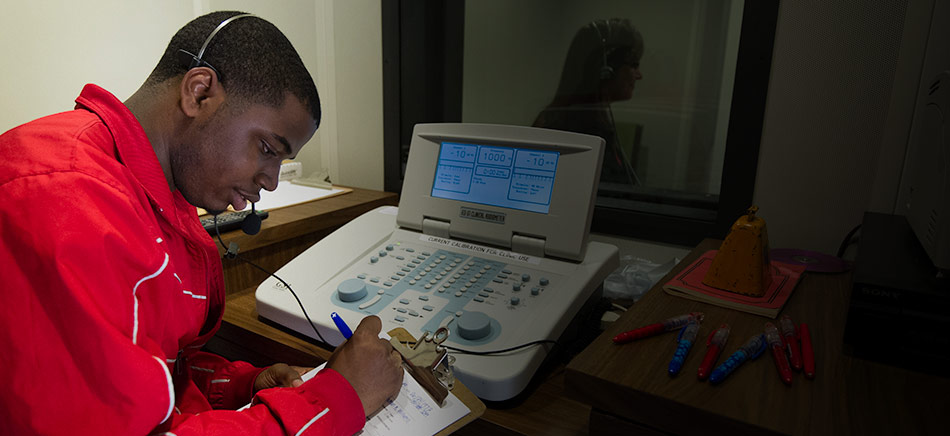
255	61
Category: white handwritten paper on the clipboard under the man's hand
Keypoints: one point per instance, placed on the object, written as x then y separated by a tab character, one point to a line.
412	413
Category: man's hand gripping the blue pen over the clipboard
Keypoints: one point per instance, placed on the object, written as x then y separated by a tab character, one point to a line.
370	364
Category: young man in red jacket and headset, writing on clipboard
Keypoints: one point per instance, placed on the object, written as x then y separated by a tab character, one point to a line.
110	284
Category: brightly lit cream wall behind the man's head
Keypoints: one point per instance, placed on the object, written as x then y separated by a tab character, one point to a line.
52	48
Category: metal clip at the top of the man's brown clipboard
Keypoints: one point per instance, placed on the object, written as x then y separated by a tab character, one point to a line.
429	363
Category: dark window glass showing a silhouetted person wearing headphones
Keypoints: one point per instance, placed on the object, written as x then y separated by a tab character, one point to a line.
646	77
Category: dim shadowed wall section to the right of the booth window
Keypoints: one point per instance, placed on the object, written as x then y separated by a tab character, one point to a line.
841	96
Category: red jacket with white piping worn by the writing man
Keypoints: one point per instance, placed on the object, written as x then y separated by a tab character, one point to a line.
110	286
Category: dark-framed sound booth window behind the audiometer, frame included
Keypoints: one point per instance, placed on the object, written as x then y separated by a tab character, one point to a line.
677	91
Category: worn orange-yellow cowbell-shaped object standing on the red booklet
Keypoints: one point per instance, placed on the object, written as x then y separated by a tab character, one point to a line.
742	263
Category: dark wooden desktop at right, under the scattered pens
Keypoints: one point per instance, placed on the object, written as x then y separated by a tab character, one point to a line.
631	393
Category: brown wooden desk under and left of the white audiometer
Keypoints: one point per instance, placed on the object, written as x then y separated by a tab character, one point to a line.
289	231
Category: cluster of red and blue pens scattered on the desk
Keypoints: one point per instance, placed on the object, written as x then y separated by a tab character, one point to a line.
791	347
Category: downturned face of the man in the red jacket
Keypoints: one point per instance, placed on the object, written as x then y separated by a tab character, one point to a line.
227	158
